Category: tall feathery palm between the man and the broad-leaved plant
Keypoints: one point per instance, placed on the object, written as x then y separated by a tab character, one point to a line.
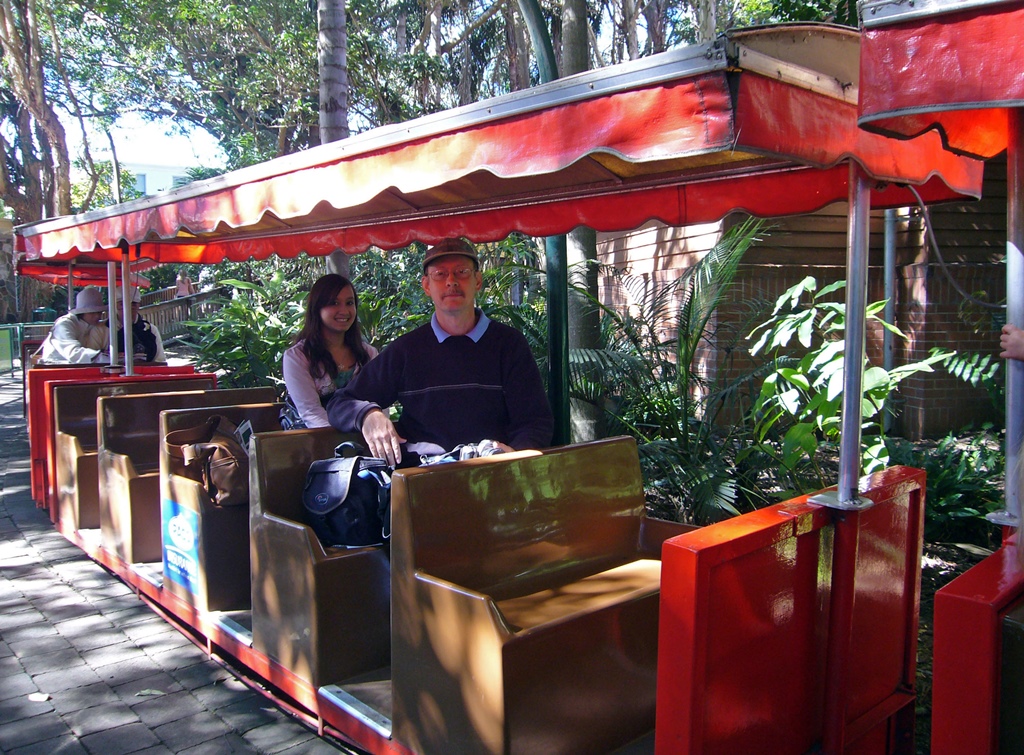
652	387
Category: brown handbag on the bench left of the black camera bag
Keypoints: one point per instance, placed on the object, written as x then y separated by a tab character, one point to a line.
212	456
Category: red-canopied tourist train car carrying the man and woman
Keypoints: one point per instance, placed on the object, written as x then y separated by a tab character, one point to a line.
527	603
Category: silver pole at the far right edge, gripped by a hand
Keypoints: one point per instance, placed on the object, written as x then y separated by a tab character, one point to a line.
1011	516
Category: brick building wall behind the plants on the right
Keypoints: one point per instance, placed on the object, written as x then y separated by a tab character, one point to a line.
929	309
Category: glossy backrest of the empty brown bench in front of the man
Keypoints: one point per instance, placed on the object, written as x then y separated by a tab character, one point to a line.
514	526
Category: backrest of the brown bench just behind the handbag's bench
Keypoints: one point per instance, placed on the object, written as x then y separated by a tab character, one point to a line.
130	425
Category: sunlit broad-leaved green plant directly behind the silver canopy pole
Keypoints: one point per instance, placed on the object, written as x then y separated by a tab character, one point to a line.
798	409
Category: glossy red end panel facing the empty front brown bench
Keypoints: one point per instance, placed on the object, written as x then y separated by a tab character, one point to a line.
795	625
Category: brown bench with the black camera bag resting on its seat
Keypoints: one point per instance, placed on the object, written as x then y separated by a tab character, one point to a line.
324	614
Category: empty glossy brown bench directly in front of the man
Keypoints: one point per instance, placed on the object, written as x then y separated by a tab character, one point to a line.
526	592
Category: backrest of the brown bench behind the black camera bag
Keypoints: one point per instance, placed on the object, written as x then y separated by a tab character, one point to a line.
280	463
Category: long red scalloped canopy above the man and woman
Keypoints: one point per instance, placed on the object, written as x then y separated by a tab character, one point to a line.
685	150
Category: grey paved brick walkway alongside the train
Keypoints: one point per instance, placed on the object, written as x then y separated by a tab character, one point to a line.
88	667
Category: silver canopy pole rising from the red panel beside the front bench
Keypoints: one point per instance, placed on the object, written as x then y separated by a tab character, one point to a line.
859	232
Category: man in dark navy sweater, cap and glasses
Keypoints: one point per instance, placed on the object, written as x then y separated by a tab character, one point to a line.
462	379
